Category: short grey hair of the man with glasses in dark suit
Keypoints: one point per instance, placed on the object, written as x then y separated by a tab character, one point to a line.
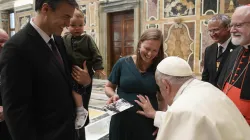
225	19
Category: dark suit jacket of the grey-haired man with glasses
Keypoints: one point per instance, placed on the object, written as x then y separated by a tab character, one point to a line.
209	73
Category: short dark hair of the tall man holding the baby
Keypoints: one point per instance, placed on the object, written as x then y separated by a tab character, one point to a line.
53	3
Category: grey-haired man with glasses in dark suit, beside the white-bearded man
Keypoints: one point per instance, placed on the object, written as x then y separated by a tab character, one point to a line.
217	53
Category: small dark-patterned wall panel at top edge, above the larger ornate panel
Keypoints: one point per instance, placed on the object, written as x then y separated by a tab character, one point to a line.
174	8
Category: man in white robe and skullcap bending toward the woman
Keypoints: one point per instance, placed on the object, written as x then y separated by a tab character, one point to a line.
196	110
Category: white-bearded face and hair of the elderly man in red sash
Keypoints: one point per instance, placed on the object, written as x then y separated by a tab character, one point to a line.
240	28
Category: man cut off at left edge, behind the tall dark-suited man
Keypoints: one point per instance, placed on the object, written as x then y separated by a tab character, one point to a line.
4	133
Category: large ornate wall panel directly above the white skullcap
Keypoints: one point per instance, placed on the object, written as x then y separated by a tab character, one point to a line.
179	41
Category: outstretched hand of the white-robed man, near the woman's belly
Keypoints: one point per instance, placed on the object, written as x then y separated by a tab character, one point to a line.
145	104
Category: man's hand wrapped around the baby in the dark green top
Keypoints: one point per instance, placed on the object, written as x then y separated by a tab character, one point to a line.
81	76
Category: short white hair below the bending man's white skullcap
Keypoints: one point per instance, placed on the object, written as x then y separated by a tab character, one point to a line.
175	80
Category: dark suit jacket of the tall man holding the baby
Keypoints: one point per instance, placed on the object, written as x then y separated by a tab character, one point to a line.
36	90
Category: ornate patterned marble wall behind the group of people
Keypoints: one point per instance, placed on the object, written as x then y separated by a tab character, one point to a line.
183	23
